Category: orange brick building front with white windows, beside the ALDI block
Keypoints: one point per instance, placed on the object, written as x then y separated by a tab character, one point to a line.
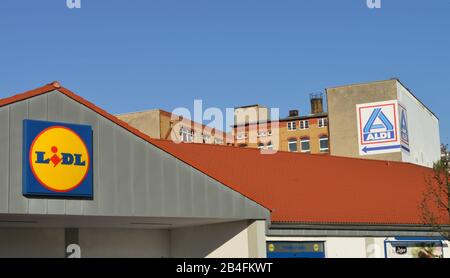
294	133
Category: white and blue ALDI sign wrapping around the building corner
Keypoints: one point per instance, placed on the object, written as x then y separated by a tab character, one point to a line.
382	128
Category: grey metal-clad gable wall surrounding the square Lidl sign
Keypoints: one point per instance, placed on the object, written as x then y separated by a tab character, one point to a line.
131	176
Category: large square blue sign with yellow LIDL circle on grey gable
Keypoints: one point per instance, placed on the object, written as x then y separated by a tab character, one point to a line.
57	159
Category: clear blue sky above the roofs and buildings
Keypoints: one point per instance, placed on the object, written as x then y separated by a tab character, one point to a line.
133	55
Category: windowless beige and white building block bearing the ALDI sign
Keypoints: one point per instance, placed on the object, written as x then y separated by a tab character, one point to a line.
420	127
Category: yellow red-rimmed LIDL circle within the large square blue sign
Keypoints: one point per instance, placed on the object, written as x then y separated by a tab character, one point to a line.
59	159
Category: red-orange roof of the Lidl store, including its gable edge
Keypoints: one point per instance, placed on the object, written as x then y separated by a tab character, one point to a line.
300	188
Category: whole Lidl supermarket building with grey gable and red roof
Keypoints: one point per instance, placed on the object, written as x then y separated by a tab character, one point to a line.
75	181
